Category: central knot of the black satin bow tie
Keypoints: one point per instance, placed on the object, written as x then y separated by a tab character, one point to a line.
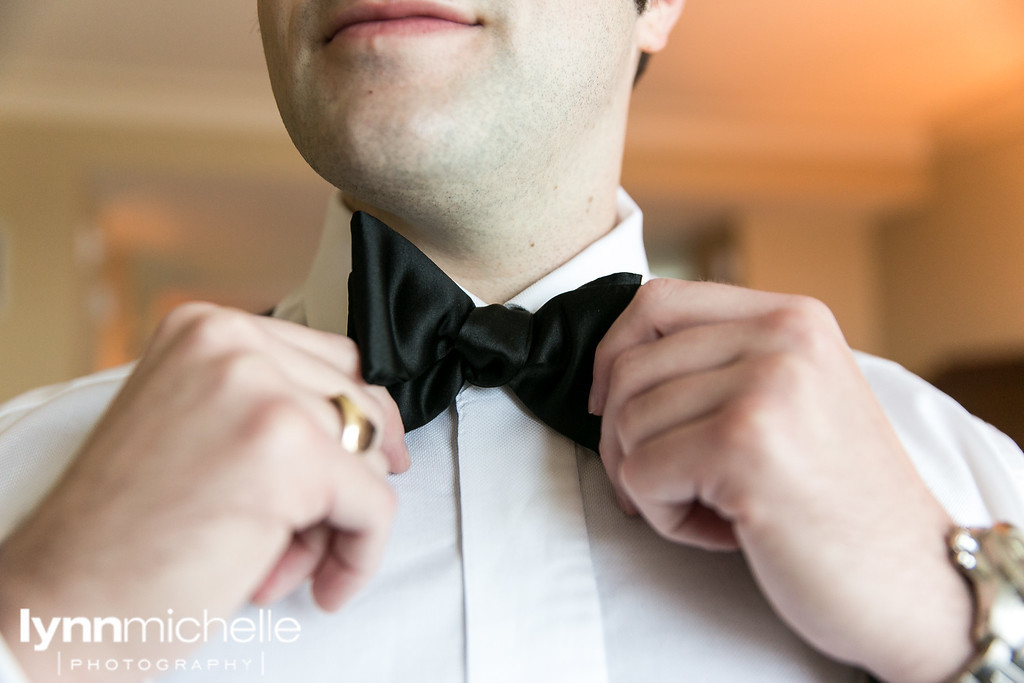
495	345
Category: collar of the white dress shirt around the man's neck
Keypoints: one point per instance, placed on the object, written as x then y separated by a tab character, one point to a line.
323	302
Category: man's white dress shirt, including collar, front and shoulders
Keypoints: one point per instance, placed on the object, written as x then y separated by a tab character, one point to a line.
509	560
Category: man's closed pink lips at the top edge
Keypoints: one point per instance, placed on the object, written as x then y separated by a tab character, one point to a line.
398	18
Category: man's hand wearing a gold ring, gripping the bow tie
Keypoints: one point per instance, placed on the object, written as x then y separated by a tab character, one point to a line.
217	478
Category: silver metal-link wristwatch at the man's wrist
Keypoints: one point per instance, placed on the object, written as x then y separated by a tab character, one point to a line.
993	561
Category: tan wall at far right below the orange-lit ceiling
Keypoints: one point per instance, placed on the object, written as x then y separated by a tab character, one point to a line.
954	273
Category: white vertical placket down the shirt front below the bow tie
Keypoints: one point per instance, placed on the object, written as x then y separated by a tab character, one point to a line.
532	605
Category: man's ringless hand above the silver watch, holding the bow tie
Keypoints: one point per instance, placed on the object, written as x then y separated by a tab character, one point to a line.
736	418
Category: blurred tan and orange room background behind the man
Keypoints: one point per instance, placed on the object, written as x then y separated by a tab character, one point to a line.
869	153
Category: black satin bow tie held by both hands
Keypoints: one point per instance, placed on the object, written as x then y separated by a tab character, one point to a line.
422	337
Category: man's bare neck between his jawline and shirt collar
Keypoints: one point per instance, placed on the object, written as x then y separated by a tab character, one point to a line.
506	230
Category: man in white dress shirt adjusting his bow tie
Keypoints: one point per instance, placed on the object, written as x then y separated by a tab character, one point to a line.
490	135
